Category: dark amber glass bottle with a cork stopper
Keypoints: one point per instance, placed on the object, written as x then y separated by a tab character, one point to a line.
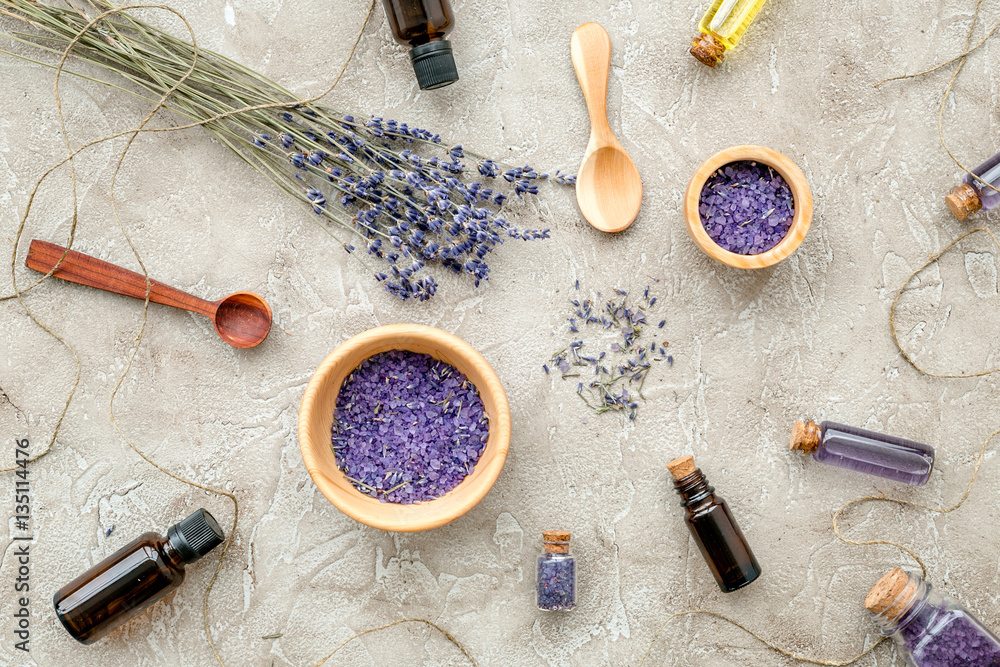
715	531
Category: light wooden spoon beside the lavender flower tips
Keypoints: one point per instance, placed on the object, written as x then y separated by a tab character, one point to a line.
608	187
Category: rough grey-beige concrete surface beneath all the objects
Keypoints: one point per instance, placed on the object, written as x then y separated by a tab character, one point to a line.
754	351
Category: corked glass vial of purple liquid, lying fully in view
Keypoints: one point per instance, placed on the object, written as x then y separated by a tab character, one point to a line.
865	451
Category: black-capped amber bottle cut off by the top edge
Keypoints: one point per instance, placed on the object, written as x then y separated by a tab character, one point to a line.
423	25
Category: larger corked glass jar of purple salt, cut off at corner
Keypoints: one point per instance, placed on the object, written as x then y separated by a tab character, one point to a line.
930	629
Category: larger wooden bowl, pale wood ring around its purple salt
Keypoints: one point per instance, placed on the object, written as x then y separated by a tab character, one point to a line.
320	401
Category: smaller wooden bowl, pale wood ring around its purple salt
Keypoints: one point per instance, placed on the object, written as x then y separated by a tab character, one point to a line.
801	196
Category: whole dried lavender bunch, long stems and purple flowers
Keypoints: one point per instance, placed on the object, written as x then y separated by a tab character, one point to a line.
411	201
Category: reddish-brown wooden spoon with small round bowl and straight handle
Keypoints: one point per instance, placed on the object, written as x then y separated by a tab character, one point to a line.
242	319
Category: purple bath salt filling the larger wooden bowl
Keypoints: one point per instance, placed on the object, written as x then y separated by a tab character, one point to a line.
407	427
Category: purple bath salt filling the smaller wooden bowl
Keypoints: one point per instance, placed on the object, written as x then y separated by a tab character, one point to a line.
746	207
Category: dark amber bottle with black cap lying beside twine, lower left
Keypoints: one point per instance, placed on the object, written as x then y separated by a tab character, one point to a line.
137	575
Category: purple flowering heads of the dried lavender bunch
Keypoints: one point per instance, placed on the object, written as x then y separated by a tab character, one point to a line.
419	205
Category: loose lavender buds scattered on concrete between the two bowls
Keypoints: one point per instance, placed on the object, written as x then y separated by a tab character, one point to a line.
611	379
